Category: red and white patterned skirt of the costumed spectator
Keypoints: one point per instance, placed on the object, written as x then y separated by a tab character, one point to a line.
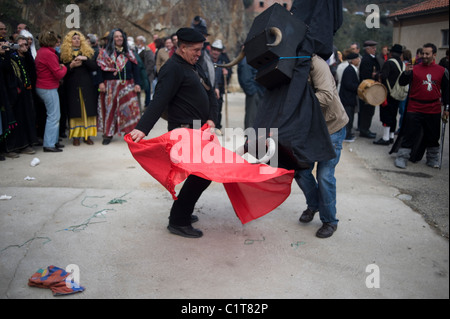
118	108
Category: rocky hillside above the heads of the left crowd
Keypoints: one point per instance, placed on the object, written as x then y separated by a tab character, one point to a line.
226	19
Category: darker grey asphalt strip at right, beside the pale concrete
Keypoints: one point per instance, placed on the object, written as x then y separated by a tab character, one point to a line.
424	189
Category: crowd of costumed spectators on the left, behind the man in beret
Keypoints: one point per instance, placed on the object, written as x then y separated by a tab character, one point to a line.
75	86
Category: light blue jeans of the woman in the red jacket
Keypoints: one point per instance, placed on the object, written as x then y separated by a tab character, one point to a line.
51	101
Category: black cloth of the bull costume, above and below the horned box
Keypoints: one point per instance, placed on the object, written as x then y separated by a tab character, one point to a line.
293	108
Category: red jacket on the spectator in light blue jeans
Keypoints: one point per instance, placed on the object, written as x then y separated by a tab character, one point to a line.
49	72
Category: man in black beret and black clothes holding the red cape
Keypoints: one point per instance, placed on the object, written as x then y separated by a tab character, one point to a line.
184	91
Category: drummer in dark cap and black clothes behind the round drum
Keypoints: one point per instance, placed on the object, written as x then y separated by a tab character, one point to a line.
369	69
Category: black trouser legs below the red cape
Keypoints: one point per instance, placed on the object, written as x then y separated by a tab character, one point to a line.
183	207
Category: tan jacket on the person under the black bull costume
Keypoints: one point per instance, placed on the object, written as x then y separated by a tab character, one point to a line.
325	88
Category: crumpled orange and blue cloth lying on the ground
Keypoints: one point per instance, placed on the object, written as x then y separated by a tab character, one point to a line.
54	278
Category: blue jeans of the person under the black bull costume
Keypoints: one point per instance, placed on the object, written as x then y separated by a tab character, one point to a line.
321	193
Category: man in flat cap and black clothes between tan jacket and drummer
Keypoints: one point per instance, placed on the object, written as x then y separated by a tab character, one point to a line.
349	92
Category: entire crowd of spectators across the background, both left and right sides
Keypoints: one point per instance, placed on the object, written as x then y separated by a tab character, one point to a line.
77	86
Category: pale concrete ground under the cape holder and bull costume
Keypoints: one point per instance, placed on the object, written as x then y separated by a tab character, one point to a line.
123	250
